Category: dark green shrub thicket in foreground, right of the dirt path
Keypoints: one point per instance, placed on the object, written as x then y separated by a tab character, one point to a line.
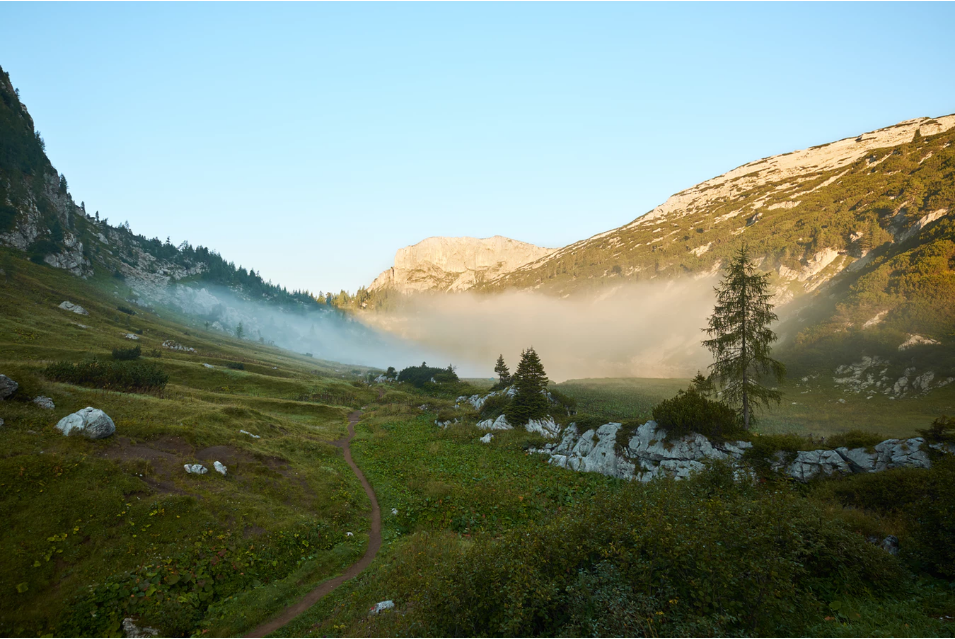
704	557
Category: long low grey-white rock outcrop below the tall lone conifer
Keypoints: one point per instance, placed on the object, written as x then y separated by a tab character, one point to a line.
646	455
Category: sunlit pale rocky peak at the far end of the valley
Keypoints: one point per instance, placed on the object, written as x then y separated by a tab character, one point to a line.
448	264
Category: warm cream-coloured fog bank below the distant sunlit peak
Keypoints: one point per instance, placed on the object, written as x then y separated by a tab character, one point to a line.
646	329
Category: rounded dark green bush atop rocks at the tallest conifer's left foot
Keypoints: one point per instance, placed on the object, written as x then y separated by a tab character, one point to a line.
691	412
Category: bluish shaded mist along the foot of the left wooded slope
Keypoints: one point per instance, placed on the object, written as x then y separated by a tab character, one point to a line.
325	333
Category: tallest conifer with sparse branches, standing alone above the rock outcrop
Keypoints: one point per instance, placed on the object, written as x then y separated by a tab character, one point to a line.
740	337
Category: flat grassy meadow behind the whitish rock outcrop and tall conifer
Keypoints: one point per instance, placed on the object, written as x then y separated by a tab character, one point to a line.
812	407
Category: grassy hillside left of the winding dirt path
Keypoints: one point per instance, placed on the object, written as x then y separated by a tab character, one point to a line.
77	512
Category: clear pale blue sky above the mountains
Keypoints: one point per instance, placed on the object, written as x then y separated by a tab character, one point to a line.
310	141
